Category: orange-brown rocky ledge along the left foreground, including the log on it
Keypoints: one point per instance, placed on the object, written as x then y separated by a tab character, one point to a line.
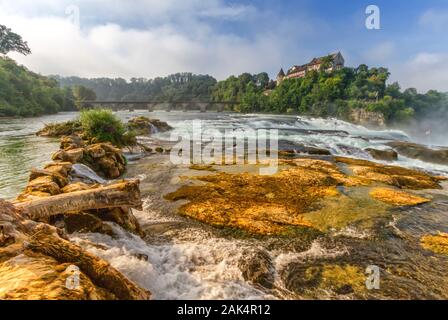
70	194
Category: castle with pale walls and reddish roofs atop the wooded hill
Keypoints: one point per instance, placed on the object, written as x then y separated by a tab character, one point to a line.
334	61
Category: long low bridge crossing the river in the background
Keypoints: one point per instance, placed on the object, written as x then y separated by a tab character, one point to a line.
157	105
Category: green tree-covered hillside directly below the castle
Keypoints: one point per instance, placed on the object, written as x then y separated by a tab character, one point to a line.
336	94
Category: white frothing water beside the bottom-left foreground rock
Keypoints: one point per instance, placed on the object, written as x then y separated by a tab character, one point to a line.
199	269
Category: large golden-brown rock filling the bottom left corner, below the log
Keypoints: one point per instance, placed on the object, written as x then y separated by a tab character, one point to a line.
38	262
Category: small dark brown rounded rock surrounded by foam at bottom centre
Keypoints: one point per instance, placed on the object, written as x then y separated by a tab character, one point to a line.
257	267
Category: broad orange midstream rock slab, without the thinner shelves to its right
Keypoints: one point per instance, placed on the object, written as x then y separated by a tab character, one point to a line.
261	204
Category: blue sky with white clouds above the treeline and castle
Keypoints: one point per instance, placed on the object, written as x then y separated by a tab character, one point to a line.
150	38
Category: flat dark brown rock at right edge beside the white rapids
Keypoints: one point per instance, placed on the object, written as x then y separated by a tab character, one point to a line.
420	152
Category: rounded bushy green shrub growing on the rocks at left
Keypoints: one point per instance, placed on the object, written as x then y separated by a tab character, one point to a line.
103	126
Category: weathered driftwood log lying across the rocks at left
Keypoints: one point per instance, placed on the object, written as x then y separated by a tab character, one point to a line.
122	194
